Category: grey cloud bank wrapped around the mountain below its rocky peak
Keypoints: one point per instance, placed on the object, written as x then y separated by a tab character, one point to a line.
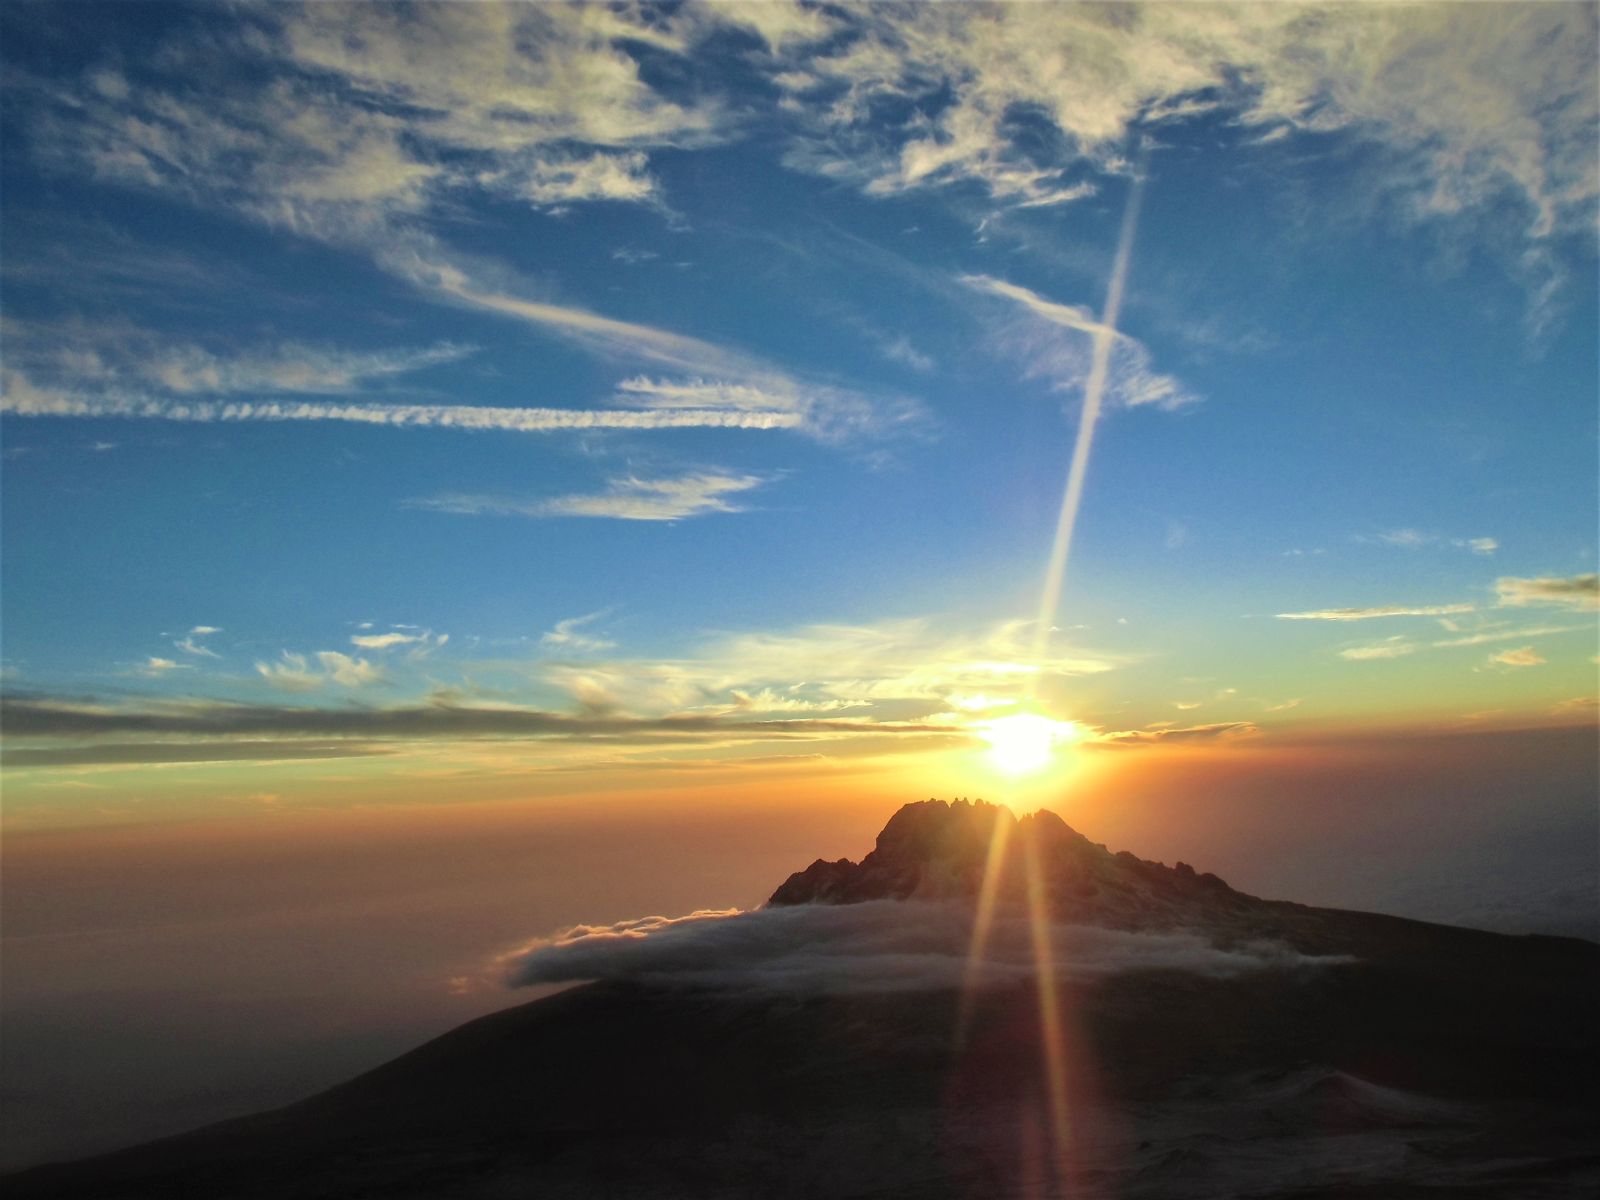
881	946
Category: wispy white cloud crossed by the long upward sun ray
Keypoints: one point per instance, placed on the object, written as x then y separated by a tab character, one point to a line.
1065	359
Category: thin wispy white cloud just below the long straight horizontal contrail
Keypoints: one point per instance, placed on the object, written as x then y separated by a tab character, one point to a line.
631	498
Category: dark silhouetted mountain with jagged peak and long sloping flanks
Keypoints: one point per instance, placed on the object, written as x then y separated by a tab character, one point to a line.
1426	1062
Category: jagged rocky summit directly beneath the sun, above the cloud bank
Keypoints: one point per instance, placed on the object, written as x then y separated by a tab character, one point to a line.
940	850
